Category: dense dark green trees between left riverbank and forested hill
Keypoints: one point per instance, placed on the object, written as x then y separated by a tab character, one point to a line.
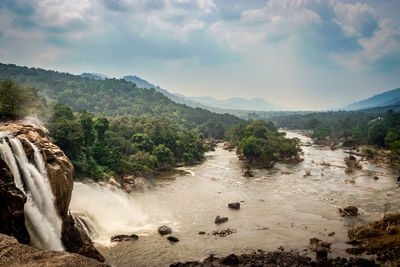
102	146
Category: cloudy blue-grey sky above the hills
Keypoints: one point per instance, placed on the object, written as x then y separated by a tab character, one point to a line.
298	54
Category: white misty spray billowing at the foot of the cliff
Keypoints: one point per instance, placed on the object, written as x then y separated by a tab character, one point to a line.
105	212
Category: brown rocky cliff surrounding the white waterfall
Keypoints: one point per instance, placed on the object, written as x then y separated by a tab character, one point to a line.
60	173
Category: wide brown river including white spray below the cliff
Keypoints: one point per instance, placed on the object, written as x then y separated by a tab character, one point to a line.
280	207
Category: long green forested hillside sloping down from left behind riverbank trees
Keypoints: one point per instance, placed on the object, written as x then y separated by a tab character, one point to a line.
109	97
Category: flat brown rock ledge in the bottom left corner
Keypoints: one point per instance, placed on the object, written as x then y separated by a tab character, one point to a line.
13	253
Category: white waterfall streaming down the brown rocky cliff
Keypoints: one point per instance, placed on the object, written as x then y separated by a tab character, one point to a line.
41	218
